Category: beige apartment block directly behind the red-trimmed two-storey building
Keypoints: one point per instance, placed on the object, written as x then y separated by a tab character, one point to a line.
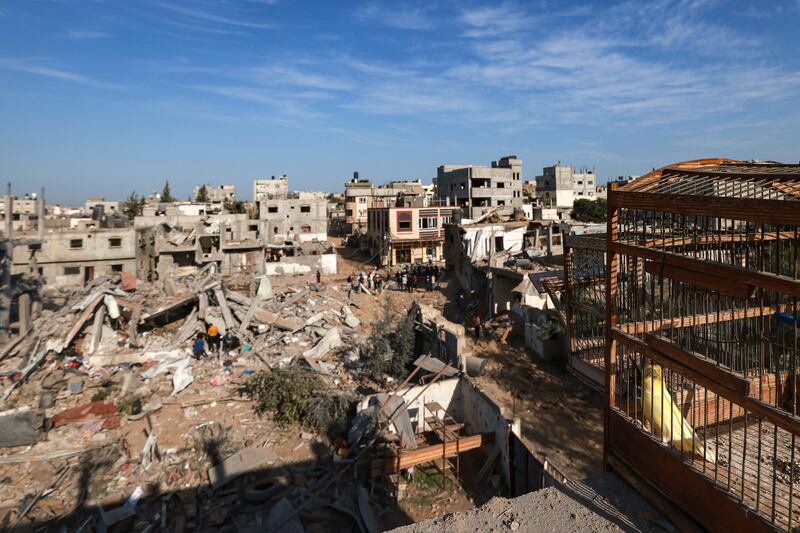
361	195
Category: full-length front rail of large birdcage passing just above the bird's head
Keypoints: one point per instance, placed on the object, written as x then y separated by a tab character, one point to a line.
778	417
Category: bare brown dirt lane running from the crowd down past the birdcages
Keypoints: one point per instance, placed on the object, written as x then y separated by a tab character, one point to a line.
562	418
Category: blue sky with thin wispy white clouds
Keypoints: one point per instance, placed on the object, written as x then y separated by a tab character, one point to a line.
105	97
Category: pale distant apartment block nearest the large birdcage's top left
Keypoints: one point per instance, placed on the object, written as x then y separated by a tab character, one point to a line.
560	185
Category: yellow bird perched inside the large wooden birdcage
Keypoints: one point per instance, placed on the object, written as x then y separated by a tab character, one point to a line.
658	407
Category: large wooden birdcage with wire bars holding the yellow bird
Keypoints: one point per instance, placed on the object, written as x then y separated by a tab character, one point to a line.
701	362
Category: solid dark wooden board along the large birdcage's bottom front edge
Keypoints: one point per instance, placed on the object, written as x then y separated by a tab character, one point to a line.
690	491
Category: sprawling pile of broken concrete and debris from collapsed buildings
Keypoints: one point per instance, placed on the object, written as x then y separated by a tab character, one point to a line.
118	407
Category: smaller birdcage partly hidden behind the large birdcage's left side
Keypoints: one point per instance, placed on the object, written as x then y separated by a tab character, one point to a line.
585	303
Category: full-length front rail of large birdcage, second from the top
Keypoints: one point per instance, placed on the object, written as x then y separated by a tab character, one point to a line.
764	280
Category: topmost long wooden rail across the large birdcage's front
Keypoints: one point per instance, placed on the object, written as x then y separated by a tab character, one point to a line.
778	212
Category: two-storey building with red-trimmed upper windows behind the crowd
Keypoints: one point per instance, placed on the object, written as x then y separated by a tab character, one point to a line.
398	235
